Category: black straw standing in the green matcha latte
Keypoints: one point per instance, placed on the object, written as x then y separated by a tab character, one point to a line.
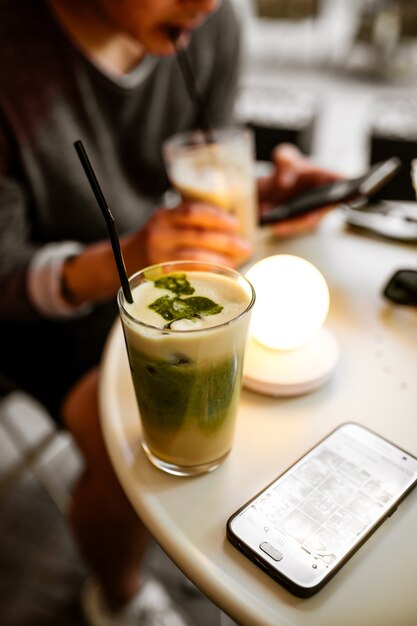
115	244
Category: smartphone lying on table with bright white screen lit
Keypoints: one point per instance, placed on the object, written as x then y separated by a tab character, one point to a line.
309	521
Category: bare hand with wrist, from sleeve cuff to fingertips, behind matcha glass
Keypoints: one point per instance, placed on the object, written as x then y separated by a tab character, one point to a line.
192	231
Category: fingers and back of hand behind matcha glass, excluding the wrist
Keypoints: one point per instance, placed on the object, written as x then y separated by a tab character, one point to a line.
195	231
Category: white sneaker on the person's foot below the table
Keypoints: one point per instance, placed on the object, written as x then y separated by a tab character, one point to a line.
151	606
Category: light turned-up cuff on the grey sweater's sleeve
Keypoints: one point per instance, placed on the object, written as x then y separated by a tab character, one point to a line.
44	281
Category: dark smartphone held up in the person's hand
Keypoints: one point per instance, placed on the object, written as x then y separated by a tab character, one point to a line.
333	193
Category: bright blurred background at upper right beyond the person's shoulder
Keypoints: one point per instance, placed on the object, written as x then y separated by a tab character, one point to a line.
336	77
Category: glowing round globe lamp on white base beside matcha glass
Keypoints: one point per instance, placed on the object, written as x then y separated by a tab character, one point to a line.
289	352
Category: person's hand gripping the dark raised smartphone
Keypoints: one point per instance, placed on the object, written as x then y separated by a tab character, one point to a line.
293	174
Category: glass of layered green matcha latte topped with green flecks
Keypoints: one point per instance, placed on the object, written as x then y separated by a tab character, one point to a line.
185	335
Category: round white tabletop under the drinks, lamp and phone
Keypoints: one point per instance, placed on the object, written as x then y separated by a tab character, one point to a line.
375	383
